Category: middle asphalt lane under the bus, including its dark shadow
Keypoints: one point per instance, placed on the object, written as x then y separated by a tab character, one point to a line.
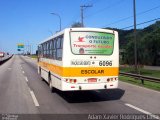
72	102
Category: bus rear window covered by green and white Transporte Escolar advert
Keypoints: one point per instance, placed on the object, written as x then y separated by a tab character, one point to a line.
92	43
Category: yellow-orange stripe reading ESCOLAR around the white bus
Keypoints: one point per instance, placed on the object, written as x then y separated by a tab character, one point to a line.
80	71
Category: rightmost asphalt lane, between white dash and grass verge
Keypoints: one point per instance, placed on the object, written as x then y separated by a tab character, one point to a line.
144	98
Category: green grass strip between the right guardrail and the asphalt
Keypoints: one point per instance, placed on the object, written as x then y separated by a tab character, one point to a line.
147	84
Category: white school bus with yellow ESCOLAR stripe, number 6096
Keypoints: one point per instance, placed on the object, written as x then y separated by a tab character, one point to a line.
78	59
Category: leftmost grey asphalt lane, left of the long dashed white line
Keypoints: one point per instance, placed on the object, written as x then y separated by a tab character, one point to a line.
14	94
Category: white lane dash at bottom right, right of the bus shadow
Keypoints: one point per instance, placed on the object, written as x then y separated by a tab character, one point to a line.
143	111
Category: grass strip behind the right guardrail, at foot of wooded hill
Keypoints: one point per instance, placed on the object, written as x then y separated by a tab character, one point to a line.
151	73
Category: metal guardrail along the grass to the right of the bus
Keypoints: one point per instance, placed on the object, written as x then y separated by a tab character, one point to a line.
141	77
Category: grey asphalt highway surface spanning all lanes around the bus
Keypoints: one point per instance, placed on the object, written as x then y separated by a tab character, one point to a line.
23	93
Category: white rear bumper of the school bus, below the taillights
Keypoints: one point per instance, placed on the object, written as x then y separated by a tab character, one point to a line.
93	86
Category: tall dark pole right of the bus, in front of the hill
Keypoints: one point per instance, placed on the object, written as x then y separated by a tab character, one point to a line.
135	39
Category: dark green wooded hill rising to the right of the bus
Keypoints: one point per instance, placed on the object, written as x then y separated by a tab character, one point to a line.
148	45
